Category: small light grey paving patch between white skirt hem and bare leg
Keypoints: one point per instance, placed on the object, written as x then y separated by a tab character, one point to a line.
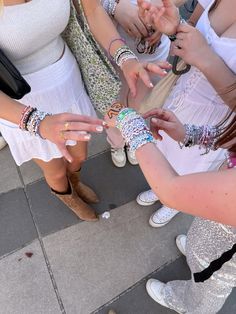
30	172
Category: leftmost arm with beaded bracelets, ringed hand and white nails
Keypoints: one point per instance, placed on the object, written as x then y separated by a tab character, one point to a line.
50	127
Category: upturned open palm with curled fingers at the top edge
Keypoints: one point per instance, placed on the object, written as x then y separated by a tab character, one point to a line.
165	17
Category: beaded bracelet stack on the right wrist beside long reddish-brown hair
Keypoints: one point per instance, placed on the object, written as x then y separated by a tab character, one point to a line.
205	136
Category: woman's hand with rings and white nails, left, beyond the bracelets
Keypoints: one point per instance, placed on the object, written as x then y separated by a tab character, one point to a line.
59	128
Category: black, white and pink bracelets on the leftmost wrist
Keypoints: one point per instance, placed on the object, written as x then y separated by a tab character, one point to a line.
30	120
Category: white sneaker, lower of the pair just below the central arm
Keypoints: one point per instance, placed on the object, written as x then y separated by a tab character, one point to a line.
162	216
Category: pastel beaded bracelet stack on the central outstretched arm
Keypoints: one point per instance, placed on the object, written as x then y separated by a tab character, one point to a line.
133	129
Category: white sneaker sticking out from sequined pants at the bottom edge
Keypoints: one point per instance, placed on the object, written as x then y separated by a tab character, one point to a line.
155	289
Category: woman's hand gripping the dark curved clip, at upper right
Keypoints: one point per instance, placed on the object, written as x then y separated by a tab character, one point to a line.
191	46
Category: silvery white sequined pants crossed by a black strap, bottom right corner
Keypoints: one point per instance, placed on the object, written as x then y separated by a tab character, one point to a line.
206	241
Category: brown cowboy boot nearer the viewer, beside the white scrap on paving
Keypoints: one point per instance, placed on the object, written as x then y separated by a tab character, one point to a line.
77	205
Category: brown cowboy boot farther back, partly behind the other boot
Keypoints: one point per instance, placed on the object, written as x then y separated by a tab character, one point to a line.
83	191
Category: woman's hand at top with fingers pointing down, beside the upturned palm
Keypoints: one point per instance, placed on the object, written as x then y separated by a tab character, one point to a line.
126	14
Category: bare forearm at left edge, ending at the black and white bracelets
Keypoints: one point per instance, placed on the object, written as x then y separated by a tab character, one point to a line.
10	109
